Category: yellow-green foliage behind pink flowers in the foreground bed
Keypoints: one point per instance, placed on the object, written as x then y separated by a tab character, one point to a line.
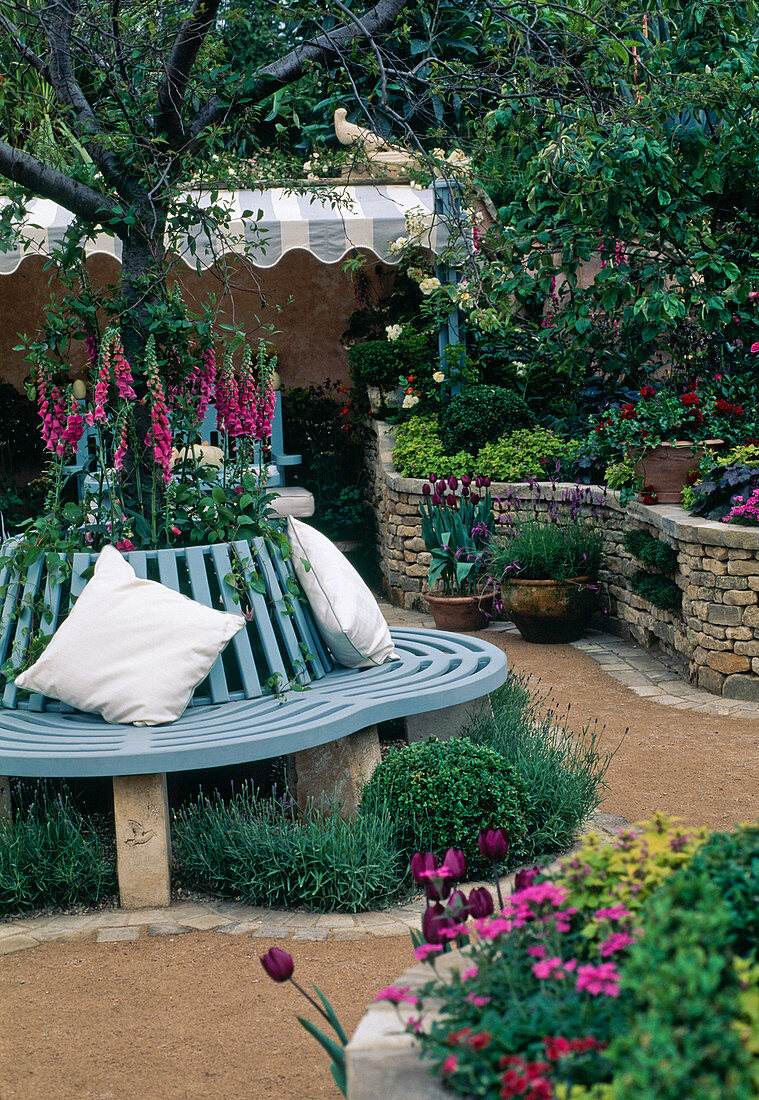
631	870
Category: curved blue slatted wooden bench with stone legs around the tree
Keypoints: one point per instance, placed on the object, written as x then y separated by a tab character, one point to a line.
322	716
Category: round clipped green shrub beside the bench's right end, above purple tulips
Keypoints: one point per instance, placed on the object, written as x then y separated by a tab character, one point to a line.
442	794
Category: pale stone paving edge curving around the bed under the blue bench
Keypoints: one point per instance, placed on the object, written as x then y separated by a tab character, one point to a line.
232	919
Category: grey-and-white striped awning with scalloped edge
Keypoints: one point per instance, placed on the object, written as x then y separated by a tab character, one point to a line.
266	225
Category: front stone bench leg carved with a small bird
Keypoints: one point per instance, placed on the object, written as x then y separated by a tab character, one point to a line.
144	844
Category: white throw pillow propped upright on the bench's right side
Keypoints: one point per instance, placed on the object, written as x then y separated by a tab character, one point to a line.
345	609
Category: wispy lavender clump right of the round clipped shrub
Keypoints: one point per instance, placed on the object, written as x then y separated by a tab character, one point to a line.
563	772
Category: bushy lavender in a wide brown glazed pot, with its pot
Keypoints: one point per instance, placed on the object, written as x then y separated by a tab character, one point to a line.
548	574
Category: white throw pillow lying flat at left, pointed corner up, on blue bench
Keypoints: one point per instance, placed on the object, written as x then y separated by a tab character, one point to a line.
131	651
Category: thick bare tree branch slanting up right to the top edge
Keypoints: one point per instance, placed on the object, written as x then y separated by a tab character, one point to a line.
288	70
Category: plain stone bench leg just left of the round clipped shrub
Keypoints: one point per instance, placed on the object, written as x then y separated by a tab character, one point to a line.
337	772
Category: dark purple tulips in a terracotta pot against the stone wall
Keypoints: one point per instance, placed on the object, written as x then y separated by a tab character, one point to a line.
457	525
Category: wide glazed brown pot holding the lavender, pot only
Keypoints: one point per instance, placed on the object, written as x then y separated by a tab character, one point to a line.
549	612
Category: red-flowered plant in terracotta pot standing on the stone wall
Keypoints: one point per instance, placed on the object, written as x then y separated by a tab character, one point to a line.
663	435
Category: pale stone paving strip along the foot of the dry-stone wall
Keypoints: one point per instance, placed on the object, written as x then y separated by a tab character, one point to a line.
650	675
